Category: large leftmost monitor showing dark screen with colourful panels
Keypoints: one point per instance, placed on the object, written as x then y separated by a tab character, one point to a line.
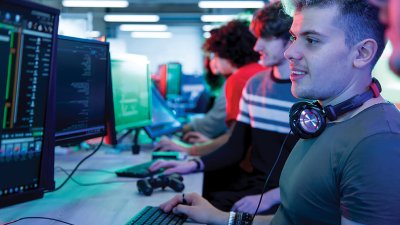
27	54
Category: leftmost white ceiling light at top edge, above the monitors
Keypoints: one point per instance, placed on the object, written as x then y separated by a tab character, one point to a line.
97	3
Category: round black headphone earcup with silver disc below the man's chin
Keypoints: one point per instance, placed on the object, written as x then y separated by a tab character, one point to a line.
307	120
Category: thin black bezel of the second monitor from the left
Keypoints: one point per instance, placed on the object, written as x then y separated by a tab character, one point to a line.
77	139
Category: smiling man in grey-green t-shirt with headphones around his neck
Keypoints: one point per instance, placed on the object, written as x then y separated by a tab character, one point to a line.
348	173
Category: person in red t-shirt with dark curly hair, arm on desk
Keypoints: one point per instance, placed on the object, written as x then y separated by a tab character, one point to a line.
232	49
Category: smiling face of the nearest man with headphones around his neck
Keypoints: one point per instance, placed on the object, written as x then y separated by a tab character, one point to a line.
319	58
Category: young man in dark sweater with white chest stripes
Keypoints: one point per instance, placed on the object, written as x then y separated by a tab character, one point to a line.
262	126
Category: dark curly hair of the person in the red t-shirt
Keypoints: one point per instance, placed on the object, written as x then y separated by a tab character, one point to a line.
233	42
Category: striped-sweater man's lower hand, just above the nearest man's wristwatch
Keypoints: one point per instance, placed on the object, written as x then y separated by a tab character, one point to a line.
249	203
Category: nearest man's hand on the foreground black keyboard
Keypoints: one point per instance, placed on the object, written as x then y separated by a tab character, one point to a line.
196	208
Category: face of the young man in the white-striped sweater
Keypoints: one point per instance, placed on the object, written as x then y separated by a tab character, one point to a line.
271	50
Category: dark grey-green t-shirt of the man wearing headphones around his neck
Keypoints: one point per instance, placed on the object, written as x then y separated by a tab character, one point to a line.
352	170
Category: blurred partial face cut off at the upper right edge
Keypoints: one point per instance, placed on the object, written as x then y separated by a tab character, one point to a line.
390	15
